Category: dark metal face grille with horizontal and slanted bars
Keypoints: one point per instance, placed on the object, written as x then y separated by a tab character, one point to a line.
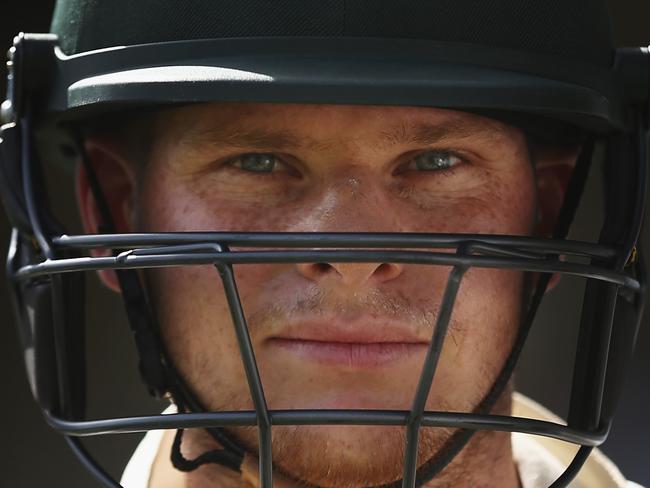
460	252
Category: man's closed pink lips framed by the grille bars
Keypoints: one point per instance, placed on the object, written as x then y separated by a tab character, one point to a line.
357	343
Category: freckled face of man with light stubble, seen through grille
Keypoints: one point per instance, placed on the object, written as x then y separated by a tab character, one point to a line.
333	335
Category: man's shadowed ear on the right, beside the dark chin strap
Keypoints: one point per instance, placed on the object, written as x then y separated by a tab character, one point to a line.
553	168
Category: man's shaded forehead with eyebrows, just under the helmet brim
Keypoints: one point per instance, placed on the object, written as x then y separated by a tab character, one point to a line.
317	126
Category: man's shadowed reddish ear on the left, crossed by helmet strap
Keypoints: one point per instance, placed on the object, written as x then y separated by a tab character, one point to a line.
116	177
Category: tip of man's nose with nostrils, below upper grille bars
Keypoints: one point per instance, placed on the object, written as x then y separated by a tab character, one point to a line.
350	274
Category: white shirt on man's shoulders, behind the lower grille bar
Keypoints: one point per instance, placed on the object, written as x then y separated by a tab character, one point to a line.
540	460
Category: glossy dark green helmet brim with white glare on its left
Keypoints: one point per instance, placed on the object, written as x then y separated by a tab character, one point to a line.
336	71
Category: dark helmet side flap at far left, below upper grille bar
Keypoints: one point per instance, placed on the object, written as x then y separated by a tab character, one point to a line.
50	316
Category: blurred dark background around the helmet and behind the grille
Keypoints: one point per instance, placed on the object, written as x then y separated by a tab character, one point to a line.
32	455
